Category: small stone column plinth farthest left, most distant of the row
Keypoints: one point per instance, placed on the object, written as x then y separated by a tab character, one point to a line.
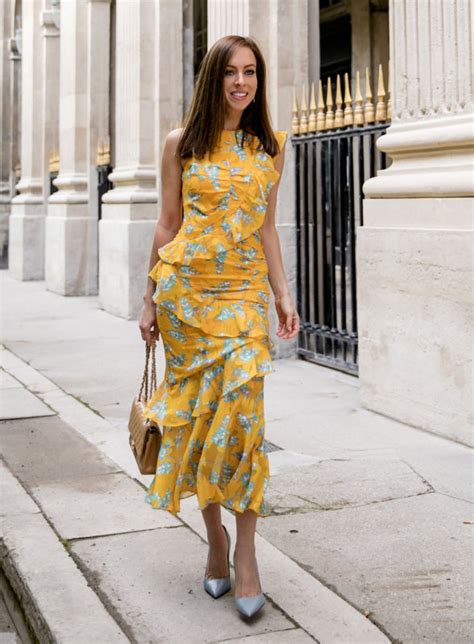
26	241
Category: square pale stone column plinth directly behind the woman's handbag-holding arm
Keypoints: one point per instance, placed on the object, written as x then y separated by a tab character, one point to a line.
124	251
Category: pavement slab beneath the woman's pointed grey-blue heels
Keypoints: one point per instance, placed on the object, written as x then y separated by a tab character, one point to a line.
153	581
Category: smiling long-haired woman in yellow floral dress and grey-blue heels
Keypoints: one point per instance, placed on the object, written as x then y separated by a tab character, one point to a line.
207	294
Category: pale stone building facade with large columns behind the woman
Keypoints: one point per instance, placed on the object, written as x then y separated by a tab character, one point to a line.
91	88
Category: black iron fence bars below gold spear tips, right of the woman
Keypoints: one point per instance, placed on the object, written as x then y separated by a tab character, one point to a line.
331	167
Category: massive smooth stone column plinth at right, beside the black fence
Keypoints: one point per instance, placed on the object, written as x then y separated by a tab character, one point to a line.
414	267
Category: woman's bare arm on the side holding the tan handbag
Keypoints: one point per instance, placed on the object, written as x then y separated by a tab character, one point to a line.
169	220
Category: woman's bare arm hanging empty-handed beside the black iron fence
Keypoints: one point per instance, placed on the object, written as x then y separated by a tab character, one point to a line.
287	315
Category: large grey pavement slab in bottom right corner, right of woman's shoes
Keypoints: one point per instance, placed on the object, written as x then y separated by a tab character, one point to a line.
420	589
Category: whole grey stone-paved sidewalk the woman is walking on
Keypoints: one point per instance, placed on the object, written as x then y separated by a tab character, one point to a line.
370	538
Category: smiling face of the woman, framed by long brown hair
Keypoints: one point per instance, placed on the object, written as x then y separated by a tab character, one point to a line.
240	80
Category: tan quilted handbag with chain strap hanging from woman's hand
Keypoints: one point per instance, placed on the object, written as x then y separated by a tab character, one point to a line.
144	434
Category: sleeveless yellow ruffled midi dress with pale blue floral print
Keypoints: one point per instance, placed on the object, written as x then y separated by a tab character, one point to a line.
212	295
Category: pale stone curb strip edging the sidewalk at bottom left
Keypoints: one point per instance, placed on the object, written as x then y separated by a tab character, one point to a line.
57	601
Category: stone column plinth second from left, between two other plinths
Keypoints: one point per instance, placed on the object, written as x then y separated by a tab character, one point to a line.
71	250
